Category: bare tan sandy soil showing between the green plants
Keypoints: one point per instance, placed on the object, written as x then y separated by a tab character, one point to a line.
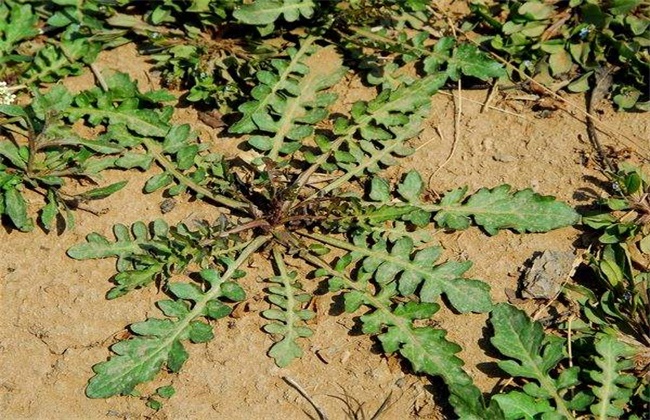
56	322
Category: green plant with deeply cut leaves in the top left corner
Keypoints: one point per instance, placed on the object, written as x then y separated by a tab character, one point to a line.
43	41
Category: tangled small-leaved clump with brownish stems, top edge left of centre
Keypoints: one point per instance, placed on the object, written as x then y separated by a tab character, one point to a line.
212	62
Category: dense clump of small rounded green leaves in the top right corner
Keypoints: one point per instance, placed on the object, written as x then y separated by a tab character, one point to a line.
562	44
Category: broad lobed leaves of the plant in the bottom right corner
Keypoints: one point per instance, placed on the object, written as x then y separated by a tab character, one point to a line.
600	383
